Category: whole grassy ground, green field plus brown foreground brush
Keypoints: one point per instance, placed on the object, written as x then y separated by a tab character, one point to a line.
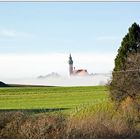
64	112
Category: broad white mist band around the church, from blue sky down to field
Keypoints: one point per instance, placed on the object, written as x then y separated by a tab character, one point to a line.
52	69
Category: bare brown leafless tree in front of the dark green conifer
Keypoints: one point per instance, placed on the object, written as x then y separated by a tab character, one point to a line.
127	82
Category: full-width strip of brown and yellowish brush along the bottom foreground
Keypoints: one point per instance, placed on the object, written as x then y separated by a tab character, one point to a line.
104	123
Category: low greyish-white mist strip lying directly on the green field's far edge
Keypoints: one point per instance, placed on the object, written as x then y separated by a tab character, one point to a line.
62	81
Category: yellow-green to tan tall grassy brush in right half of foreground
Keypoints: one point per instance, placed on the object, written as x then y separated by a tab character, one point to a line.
105	122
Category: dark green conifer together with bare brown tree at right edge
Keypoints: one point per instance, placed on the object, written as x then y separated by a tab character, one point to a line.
126	74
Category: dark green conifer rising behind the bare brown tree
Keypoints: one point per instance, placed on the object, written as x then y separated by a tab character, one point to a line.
130	44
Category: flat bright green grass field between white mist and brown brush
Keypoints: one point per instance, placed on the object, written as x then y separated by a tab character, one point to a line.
61	98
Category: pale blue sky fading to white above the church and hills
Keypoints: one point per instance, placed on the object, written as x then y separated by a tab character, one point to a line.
36	38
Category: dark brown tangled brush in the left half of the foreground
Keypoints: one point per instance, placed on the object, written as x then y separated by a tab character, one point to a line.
21	125
